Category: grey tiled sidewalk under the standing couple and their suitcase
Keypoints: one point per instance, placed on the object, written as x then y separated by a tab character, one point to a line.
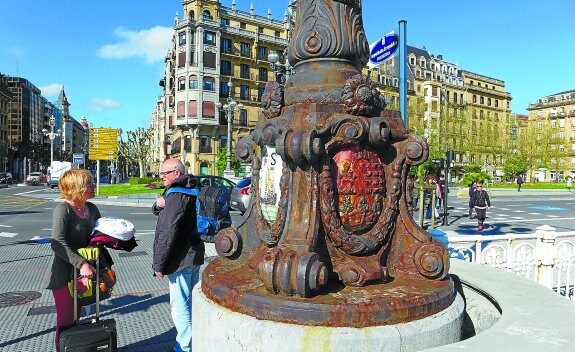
140	302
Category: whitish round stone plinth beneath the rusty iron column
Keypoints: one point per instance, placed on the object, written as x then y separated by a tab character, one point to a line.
219	329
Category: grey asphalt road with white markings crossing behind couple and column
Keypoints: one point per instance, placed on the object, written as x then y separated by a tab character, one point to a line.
26	213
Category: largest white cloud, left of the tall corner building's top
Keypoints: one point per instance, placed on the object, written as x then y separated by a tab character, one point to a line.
152	44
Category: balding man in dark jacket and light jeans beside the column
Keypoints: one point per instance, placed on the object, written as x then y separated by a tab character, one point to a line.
178	251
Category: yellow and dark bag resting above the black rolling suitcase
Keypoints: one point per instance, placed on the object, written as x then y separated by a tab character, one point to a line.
104	280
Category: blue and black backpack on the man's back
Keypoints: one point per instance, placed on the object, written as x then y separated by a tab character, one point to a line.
212	211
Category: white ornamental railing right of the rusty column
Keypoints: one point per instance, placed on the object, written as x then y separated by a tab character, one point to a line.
546	256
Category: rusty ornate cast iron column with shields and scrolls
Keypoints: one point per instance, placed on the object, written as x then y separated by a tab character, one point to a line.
328	238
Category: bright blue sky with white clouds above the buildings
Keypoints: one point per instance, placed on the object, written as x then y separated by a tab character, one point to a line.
109	54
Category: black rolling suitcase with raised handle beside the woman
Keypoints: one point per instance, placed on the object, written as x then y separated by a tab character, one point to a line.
96	335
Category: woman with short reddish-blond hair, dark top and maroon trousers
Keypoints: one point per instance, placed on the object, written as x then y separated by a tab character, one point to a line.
72	224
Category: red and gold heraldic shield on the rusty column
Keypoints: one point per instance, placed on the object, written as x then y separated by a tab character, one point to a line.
360	180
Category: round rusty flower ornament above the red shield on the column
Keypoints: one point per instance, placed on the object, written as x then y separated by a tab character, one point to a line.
361	97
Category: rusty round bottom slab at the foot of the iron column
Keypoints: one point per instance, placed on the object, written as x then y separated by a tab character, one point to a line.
232	285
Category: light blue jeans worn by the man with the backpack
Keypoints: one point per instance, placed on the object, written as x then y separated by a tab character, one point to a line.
181	285
